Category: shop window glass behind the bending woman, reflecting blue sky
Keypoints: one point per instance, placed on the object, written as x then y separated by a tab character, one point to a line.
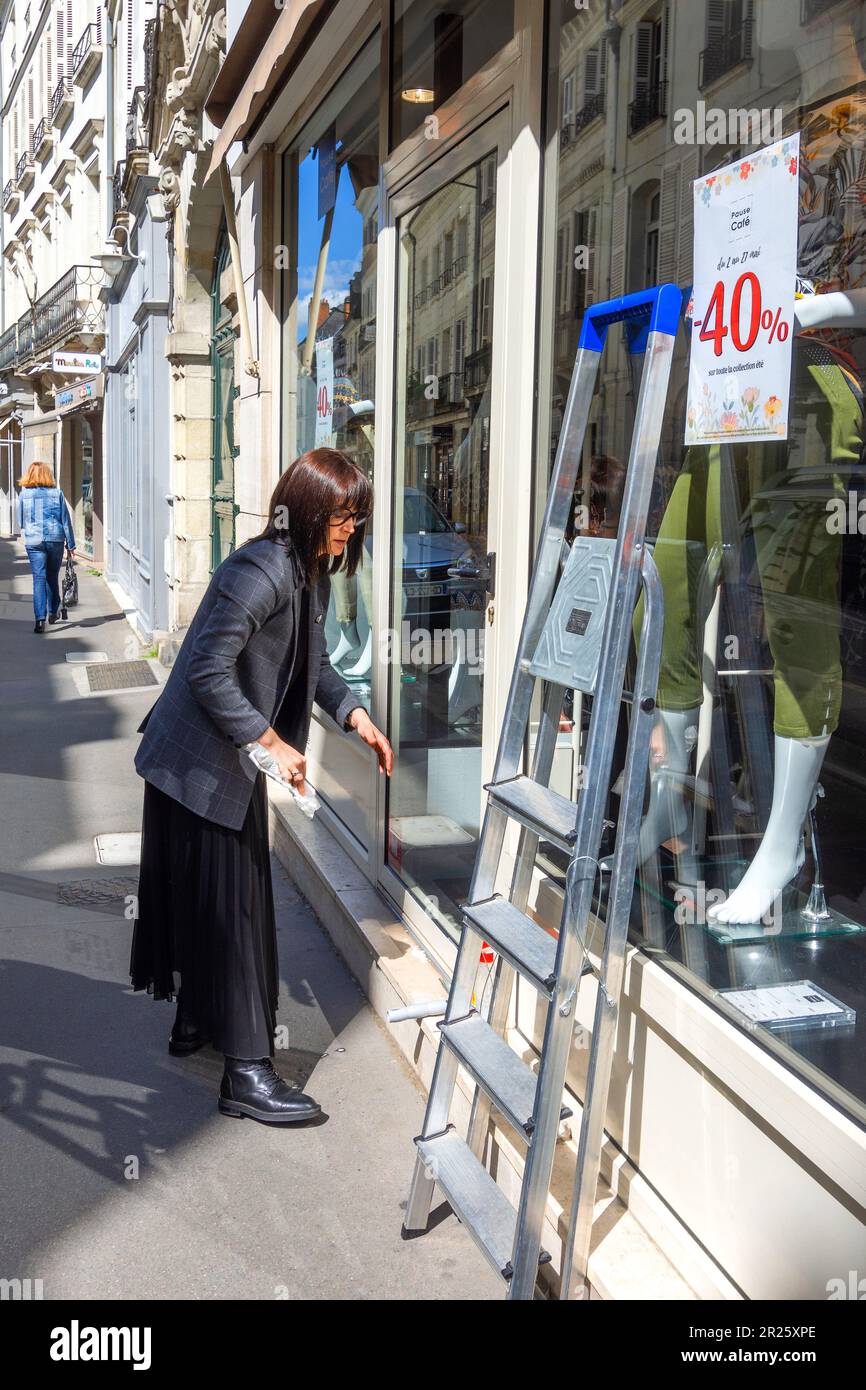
330	316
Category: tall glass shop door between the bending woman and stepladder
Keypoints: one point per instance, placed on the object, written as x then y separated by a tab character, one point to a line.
446	498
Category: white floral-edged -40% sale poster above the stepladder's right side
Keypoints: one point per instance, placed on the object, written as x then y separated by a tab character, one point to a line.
743	298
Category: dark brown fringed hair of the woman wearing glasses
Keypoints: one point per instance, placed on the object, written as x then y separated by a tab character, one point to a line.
319	483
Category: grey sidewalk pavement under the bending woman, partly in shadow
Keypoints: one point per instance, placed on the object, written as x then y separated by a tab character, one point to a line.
119	1178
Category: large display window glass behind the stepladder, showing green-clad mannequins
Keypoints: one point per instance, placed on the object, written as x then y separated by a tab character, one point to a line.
757	790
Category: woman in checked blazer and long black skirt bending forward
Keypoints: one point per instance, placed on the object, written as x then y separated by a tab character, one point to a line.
250	671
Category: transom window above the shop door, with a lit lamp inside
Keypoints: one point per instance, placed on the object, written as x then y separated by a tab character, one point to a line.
437	48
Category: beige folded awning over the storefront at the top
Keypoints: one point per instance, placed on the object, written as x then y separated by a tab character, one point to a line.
248	81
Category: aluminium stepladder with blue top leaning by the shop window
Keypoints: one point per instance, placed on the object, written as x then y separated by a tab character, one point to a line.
576	636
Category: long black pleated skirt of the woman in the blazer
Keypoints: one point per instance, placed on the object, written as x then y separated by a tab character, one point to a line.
205	928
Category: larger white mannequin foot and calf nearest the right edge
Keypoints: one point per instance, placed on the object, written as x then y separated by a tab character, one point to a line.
799	764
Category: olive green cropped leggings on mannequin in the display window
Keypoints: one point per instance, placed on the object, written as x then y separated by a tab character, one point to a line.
787	487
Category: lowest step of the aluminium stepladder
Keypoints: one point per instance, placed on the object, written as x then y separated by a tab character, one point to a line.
475	1197
